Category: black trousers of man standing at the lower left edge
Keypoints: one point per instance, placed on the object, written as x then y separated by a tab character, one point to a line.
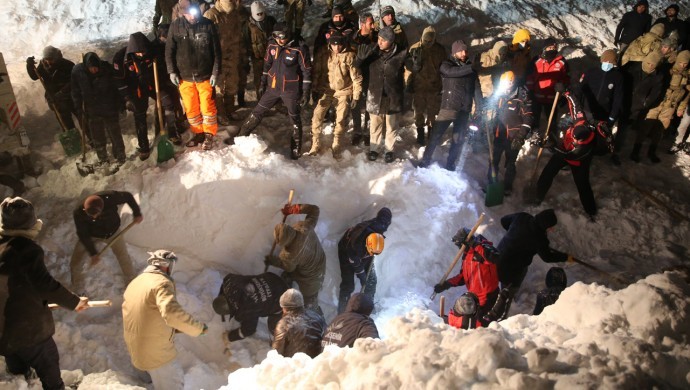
44	358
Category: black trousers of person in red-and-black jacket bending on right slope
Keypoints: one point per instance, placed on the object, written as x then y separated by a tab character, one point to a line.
580	175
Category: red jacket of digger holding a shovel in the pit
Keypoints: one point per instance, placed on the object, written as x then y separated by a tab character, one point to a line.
481	277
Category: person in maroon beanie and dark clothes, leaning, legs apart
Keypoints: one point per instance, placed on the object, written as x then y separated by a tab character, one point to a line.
460	90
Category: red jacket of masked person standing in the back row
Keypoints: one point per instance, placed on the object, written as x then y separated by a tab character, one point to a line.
544	76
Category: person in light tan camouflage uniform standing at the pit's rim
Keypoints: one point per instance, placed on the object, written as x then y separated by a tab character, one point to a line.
342	84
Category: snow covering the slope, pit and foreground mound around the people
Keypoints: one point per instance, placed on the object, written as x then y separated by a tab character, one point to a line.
217	210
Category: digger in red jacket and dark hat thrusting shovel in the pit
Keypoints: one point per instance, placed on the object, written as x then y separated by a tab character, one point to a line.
478	270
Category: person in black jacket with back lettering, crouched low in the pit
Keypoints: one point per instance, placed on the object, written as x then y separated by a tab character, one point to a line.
246	298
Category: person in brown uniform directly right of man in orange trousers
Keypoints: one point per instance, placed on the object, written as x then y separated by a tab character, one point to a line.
228	17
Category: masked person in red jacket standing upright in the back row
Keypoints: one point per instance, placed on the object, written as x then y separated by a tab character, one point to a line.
549	69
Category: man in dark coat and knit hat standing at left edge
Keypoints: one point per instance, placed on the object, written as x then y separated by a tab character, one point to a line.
26	286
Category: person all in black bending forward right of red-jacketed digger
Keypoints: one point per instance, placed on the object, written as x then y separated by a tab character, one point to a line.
526	236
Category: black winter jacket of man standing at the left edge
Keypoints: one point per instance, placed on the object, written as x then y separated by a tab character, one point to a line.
26	318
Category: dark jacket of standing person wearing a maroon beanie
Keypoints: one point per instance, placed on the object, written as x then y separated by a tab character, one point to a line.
460	86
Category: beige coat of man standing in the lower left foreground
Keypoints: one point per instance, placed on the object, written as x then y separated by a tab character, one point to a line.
150	316
